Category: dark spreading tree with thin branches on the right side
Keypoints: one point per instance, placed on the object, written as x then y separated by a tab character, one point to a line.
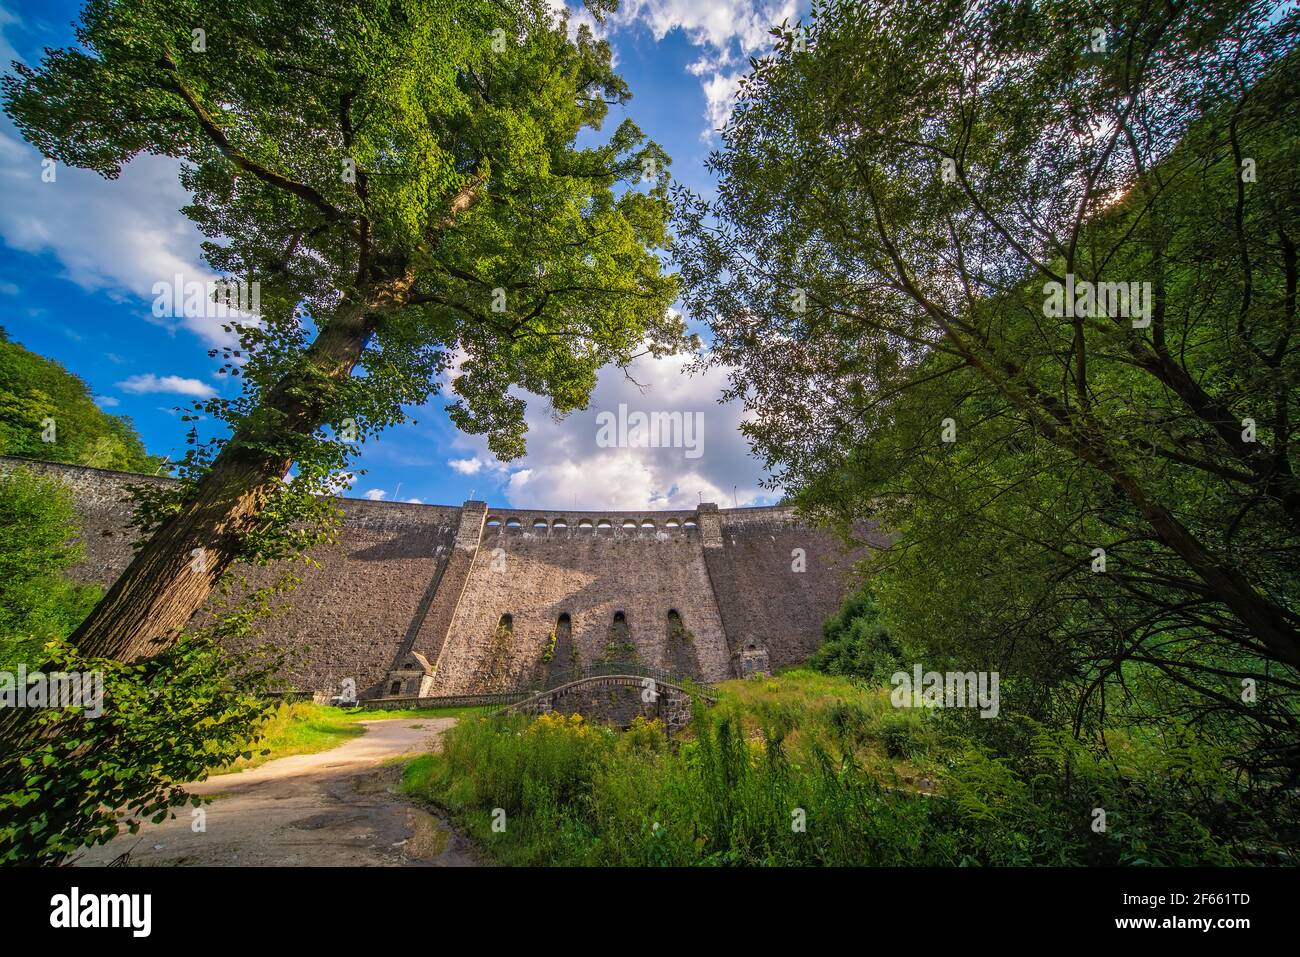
1020	282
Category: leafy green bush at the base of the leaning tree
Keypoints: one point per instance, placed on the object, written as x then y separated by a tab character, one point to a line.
164	722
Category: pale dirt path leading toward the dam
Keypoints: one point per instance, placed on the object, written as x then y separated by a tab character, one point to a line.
336	808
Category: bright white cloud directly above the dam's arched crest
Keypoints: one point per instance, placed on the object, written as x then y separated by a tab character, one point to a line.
567	469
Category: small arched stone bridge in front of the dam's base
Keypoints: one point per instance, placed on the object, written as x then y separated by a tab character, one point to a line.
617	700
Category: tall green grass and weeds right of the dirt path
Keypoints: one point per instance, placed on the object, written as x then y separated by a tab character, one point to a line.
803	769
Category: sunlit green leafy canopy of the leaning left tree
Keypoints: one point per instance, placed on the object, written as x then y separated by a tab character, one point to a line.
330	146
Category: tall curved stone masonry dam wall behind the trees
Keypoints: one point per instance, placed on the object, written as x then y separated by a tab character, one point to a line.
437	581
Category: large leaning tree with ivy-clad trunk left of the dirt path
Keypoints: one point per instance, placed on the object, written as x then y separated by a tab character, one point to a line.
402	181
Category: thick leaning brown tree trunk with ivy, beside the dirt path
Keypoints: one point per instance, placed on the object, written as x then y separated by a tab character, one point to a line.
174	574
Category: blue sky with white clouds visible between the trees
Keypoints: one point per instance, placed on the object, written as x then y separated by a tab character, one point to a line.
80	257
